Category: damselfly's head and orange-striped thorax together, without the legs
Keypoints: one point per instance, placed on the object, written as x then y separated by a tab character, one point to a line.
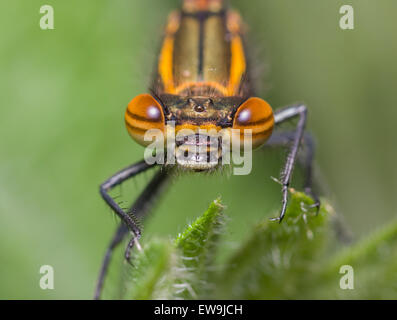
201	85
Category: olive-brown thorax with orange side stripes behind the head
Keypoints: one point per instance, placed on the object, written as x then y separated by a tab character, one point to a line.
203	52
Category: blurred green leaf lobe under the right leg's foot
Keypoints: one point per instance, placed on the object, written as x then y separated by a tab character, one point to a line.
277	259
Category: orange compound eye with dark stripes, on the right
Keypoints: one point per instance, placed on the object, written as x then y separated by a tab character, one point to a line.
257	115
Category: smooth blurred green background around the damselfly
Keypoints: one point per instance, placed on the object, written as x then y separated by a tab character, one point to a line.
63	95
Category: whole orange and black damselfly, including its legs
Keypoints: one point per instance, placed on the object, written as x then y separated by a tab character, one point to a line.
202	82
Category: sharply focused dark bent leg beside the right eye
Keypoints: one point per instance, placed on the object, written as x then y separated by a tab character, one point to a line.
281	116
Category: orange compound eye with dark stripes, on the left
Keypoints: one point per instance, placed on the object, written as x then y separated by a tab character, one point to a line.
143	113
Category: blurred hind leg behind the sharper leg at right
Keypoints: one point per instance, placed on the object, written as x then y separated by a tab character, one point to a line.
284	139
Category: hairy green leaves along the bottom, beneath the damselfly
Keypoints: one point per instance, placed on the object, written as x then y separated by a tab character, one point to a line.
299	258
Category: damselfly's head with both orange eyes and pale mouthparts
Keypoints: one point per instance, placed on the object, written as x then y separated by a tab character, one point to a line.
202	128
